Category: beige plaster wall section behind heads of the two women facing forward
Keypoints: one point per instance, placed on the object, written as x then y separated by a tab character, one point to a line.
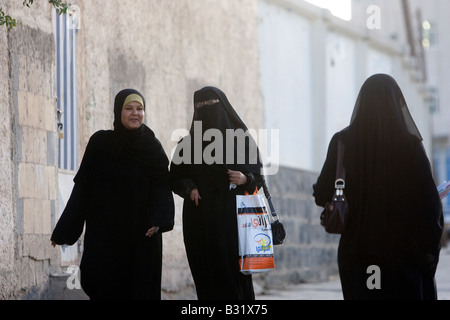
168	49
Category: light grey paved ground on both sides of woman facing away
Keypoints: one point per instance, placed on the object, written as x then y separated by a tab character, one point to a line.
332	290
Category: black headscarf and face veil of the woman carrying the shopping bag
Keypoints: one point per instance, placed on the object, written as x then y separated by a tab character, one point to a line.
214	110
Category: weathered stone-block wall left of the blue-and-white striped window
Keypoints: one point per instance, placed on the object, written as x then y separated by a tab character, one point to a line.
29	180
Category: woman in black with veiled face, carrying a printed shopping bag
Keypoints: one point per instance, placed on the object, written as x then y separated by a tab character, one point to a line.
209	209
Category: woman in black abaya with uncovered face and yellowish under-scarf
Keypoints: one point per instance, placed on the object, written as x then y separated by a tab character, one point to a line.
122	192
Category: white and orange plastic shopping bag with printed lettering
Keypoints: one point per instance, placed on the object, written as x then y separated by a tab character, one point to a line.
255	235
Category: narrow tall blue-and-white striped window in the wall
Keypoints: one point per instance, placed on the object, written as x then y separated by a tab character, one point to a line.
66	30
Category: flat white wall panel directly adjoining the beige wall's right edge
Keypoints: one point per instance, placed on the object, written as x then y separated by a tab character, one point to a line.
285	64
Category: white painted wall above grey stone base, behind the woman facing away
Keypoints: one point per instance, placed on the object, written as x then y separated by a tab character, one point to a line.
312	67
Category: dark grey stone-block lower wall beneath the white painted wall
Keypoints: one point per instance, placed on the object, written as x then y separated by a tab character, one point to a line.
309	254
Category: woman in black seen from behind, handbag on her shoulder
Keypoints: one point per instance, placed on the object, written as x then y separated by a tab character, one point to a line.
396	214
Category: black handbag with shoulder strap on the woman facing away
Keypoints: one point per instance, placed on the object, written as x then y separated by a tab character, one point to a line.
334	217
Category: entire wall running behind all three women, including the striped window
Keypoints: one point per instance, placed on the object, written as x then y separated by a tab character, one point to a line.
287	66
